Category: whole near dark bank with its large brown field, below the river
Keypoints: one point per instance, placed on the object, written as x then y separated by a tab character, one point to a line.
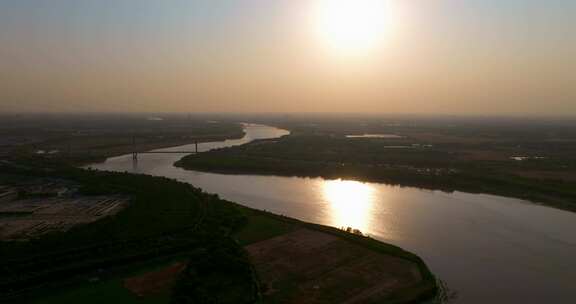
174	243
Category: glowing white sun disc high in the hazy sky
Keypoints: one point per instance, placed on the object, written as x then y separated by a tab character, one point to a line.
352	26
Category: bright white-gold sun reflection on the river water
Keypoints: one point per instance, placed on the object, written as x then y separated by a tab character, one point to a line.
351	203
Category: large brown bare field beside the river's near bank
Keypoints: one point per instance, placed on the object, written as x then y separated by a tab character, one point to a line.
307	266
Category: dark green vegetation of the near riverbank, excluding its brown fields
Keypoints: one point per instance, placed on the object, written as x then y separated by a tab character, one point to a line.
196	229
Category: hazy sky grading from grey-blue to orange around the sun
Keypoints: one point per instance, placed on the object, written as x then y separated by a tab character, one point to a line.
436	56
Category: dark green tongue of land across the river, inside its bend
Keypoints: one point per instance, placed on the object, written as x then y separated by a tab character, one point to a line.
405	161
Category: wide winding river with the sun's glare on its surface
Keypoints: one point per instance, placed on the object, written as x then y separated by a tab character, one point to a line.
487	249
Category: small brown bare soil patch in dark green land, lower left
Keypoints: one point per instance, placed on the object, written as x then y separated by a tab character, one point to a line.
155	282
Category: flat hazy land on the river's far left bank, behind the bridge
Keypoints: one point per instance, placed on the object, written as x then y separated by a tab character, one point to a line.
78	142
